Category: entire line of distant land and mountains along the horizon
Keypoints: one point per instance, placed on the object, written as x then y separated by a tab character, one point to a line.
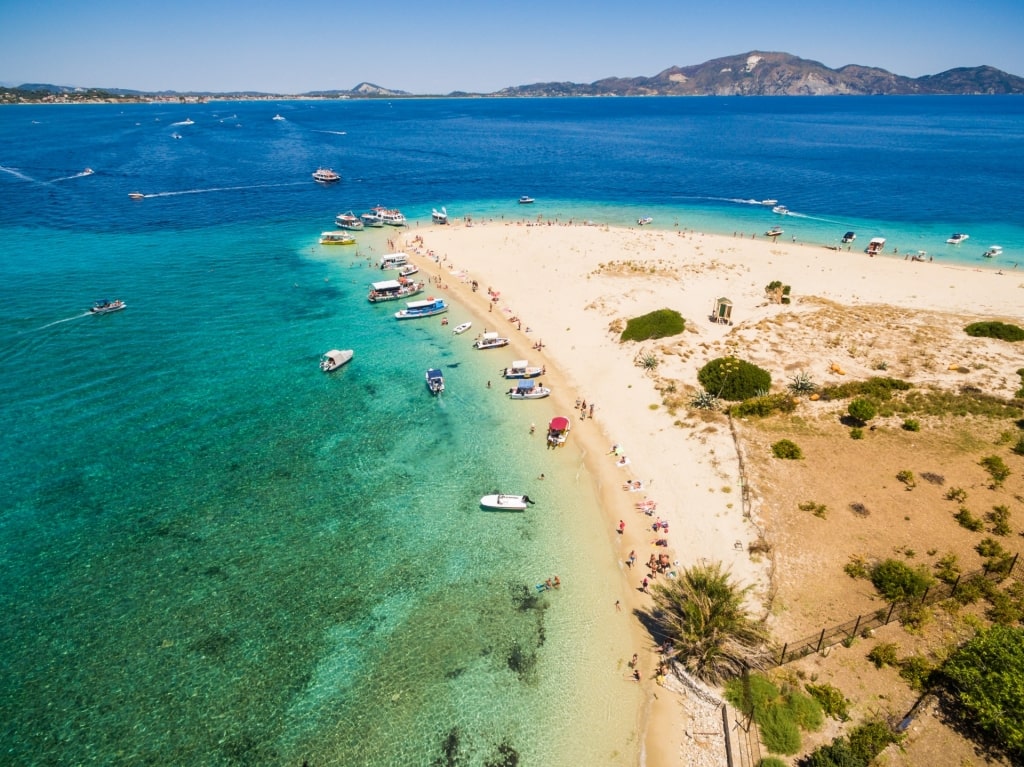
754	74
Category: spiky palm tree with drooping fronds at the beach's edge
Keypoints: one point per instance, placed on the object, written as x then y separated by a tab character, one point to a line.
703	615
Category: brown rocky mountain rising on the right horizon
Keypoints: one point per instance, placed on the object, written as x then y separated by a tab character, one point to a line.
773	74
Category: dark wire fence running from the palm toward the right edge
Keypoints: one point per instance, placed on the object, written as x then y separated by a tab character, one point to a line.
846	631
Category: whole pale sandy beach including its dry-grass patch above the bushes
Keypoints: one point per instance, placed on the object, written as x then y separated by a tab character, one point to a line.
569	289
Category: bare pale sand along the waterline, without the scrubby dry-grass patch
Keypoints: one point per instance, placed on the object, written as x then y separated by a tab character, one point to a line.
569	283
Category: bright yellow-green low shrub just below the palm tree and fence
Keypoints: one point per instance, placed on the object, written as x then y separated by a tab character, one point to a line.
780	714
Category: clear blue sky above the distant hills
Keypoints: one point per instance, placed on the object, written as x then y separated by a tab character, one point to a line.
447	46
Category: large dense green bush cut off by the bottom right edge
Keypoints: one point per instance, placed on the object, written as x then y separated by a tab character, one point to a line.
985	680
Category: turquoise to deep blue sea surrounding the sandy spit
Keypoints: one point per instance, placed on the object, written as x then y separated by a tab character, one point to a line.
214	555
